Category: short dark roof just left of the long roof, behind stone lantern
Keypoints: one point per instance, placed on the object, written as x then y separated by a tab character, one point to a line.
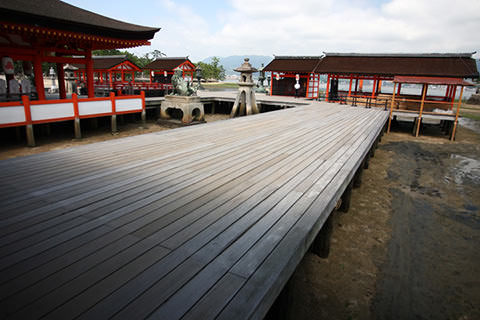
305	64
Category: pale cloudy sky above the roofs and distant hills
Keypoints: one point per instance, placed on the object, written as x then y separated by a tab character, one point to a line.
299	27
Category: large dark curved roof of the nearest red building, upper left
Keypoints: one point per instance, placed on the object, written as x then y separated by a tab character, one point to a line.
56	14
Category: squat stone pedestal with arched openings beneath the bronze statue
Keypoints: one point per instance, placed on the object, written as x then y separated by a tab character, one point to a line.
191	107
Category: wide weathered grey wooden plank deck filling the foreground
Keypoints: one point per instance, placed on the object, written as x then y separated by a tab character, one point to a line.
200	222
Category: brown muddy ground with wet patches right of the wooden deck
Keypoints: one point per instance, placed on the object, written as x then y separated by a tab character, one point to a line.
409	246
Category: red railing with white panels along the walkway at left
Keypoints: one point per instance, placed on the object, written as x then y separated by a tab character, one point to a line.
29	112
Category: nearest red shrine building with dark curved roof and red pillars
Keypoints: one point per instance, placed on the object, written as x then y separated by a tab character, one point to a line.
54	31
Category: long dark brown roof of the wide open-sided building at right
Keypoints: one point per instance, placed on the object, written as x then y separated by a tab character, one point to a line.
428	65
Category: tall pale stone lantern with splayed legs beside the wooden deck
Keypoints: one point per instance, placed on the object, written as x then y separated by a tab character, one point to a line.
245	102
